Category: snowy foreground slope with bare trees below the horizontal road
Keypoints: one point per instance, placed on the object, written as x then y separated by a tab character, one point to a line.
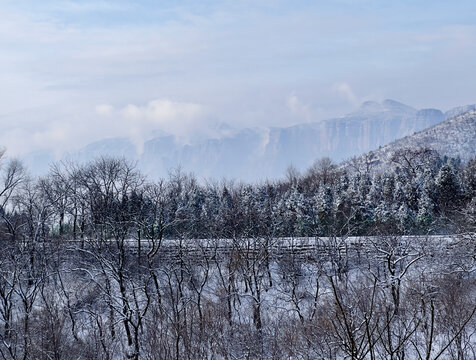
386	297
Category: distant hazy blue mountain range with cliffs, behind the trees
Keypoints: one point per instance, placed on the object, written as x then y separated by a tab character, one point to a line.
258	153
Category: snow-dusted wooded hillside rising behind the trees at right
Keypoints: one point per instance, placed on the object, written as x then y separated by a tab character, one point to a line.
454	137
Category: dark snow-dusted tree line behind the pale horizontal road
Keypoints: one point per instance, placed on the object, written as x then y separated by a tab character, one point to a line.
419	192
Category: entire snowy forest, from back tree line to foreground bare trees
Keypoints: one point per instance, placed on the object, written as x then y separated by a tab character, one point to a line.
350	261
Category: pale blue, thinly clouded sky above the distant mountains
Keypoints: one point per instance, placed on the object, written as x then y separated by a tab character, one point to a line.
72	72
